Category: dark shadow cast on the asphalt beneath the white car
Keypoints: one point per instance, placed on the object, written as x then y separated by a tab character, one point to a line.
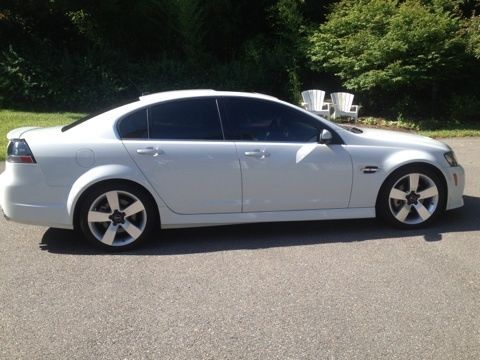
269	235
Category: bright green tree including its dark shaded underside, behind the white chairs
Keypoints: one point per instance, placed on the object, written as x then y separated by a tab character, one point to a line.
409	51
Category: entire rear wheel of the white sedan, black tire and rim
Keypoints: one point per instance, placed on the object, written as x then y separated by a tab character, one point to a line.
128	231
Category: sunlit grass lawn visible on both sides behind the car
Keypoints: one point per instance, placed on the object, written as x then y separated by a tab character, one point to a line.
11	119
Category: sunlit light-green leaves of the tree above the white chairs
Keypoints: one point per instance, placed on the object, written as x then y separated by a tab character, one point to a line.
386	44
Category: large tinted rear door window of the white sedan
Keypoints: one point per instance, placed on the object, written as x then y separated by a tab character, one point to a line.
195	119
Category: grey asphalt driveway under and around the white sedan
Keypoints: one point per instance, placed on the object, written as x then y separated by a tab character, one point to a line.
339	289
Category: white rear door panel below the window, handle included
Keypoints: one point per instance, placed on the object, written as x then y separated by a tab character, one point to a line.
192	177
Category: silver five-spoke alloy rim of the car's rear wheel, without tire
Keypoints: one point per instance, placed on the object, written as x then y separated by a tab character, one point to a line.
117	218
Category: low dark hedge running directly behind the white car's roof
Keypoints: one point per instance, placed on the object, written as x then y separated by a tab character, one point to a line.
92	81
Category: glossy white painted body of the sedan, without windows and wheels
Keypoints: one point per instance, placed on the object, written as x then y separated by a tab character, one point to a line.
213	182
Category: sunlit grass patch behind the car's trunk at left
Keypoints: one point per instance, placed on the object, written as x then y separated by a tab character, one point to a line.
11	119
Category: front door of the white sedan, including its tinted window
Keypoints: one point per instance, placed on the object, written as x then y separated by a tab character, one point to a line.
283	166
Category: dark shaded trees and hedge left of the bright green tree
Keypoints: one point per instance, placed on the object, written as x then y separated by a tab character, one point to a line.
110	51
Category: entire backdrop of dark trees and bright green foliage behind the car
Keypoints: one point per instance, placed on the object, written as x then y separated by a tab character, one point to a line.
398	56
